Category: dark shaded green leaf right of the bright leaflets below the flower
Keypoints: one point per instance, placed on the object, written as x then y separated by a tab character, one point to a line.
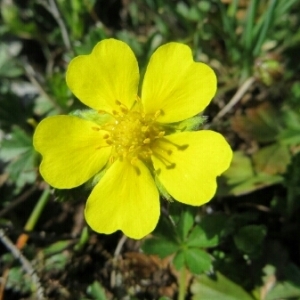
250	238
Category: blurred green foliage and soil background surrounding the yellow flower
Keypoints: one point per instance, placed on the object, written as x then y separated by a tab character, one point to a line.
245	243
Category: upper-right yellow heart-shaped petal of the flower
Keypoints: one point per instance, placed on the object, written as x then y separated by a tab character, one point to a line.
176	85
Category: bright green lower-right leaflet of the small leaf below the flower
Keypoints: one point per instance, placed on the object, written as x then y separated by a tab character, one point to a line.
197	260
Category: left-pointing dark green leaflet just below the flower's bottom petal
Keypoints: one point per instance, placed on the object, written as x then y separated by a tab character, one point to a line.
159	246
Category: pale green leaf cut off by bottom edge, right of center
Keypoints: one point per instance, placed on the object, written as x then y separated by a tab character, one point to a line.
217	288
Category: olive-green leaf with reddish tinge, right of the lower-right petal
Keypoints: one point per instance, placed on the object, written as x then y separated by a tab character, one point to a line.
272	159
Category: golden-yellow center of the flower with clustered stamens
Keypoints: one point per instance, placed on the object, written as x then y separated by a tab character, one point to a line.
132	134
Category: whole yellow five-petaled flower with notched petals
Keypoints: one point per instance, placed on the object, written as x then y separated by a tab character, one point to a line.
132	140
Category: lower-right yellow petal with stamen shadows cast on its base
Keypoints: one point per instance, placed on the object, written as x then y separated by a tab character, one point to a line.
188	163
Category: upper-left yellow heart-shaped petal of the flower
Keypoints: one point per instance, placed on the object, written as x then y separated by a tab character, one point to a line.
107	75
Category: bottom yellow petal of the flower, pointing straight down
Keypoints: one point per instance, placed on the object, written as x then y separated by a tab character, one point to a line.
126	199
